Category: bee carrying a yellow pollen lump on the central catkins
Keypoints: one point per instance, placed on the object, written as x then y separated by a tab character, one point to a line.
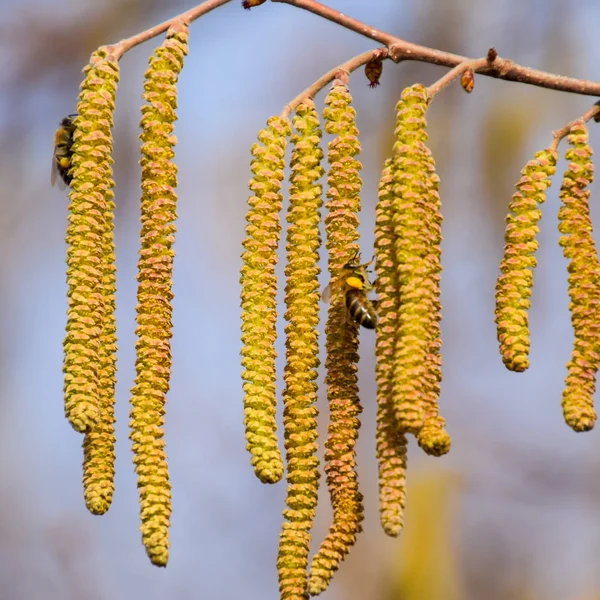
354	283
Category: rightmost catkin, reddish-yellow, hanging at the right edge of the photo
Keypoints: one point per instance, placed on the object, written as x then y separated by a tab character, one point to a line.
584	282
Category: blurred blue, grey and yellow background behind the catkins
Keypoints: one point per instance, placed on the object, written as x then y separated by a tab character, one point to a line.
513	512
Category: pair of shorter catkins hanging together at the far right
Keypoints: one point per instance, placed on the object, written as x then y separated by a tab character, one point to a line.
514	285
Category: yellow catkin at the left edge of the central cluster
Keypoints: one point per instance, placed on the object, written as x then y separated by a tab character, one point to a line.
259	299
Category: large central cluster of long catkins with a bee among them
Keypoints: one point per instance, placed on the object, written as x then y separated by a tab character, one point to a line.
408	236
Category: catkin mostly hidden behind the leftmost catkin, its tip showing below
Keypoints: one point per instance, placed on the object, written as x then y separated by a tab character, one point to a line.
99	444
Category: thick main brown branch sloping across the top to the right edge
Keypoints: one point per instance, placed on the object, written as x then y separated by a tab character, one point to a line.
400	50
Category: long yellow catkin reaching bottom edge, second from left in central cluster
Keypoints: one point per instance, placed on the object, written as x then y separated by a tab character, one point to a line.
302	353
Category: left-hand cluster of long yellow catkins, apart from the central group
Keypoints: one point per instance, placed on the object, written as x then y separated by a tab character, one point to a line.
90	342
